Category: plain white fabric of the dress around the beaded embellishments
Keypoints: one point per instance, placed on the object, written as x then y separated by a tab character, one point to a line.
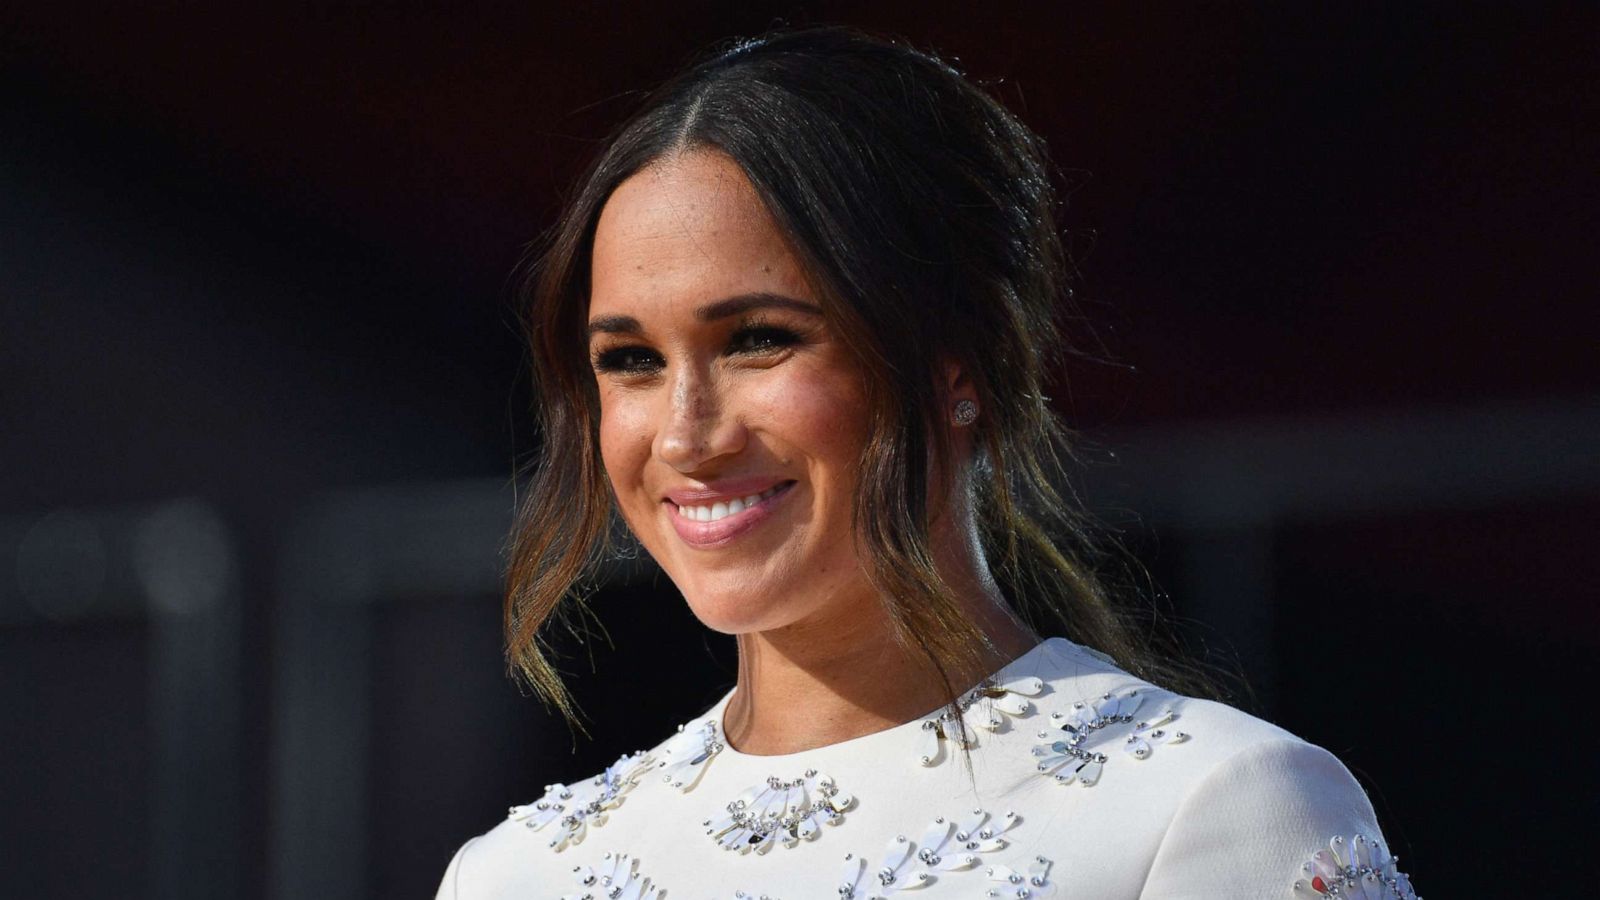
1233	813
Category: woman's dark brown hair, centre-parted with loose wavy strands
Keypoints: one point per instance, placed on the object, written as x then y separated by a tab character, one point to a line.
927	215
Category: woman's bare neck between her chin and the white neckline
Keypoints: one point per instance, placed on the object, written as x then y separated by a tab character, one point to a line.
822	683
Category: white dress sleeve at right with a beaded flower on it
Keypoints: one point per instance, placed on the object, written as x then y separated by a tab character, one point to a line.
1281	819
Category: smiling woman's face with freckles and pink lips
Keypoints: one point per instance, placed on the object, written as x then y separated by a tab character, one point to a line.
730	416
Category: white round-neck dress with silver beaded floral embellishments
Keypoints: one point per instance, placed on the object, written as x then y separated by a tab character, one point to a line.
1086	784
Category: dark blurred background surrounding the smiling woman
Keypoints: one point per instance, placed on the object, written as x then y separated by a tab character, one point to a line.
262	401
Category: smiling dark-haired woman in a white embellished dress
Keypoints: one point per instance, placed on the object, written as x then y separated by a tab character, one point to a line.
794	331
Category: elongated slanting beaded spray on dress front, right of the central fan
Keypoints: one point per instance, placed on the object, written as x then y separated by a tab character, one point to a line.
910	866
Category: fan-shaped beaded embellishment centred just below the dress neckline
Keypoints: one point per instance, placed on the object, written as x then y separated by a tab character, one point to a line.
780	813
